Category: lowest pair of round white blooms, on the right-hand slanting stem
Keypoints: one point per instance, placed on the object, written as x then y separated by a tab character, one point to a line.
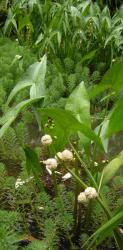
90	193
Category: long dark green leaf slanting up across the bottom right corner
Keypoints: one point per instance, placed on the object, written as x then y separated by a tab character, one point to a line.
105	230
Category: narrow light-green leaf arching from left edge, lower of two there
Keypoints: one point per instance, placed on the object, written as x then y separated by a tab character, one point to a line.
11	115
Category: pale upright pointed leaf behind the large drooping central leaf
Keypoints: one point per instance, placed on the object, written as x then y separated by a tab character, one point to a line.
78	103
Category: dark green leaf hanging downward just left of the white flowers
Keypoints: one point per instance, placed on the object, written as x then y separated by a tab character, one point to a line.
33	165
